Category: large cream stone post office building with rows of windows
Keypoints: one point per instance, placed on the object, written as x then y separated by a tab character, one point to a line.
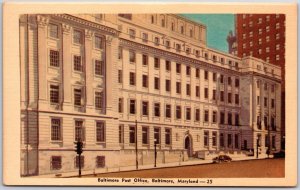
124	82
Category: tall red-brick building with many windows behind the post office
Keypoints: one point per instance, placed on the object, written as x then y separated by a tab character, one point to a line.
261	36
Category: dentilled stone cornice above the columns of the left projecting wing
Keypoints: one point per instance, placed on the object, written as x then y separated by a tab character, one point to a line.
86	23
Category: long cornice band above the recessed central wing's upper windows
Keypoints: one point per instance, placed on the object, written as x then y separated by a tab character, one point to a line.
174	56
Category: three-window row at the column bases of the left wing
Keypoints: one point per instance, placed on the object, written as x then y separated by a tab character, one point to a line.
78	97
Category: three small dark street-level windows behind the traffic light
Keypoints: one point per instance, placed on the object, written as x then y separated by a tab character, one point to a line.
56	162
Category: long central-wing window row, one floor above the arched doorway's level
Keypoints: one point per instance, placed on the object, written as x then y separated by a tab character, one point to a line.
178	112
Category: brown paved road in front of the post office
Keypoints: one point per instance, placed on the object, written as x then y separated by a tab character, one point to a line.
253	168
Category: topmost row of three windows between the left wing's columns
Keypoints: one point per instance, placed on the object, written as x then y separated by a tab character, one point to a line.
78	36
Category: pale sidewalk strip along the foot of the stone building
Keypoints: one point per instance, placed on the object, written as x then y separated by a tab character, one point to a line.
145	167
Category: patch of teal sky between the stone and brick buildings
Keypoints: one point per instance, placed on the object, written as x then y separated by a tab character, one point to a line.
218	27
